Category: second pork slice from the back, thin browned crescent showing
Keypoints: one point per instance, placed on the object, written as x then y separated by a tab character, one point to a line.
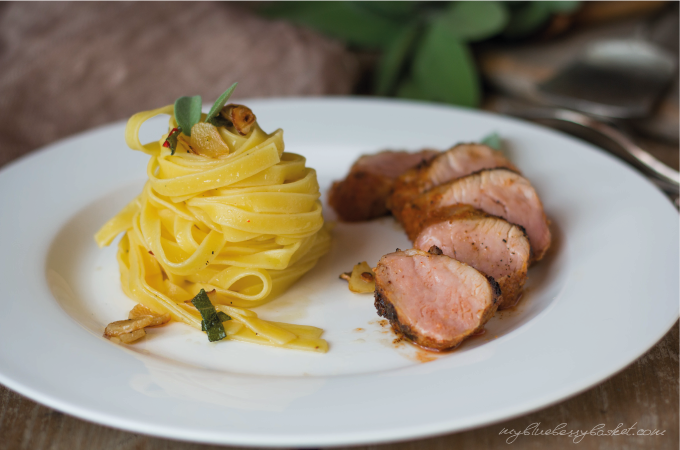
458	161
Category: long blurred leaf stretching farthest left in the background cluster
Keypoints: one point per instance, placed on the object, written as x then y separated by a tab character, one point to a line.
342	19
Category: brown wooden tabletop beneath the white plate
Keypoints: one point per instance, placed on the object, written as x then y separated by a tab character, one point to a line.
644	395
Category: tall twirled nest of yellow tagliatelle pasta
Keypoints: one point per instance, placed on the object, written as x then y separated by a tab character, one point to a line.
243	226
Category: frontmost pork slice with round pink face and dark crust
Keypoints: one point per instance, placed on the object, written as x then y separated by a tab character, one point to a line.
433	300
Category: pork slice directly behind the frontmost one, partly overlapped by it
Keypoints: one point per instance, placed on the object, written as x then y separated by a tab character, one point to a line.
488	243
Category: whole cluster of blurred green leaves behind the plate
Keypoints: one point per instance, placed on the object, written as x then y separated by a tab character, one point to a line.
424	45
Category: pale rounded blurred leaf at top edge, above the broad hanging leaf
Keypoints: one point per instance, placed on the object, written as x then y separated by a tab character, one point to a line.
475	20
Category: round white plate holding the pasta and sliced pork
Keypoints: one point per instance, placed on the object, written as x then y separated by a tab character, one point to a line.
605	295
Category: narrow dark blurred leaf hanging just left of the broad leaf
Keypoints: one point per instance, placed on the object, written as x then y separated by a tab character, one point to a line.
394	59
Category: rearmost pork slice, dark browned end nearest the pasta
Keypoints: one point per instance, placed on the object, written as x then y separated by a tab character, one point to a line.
363	194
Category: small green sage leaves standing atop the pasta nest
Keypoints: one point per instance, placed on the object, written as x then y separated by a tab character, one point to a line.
188	114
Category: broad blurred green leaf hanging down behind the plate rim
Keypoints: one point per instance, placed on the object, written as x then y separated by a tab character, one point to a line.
443	68
